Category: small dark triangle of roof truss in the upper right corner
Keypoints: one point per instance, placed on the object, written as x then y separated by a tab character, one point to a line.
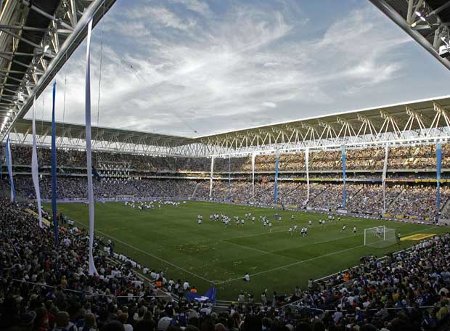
426	21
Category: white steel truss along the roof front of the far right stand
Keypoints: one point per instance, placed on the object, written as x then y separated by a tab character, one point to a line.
409	128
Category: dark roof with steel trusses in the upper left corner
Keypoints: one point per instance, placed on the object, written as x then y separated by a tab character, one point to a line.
36	39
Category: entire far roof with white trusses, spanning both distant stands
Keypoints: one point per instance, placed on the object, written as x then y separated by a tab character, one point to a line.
422	120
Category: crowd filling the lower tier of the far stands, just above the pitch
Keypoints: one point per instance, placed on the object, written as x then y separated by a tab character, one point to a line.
403	201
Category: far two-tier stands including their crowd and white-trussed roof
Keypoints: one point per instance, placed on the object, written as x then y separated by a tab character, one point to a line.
378	162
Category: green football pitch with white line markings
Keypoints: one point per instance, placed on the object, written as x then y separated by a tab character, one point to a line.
169	239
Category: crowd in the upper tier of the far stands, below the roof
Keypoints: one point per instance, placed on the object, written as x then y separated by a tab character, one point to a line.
371	158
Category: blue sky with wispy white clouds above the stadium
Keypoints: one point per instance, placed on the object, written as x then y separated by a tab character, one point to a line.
193	68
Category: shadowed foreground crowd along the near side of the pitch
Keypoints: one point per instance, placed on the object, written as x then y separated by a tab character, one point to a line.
46	287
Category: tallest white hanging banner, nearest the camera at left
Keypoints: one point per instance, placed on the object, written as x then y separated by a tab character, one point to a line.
92	269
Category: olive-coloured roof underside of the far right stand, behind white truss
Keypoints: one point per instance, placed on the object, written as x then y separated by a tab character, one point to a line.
397	119
